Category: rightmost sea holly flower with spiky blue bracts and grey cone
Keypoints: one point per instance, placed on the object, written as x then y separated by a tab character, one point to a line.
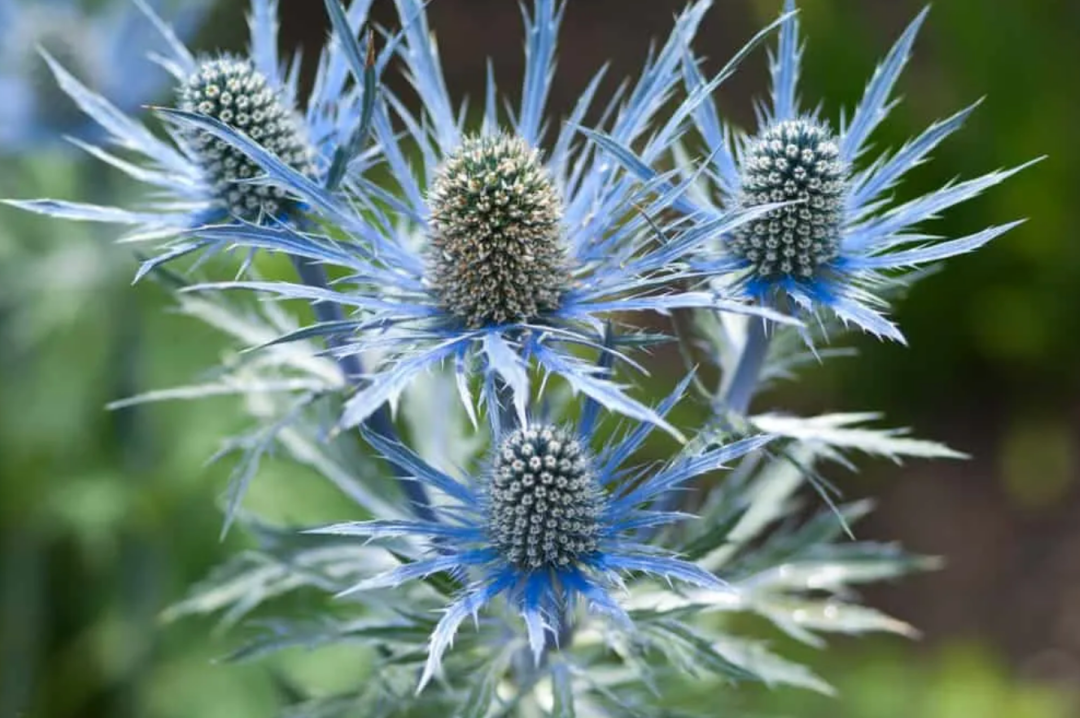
836	242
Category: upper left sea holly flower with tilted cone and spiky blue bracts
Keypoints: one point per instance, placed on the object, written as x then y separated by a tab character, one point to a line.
196	179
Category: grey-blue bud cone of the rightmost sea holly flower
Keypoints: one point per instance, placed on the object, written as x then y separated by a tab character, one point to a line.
795	160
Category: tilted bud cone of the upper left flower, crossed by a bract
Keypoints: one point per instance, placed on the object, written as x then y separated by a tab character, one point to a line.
237	94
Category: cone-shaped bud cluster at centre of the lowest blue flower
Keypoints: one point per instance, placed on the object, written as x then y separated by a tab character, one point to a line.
544	502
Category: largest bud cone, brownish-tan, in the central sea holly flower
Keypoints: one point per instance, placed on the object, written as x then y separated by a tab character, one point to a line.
496	250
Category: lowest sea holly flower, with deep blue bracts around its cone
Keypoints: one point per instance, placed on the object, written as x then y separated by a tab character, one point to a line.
547	524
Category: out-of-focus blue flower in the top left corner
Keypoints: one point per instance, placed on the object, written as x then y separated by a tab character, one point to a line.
105	47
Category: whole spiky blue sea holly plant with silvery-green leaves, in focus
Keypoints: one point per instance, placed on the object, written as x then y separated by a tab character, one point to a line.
526	527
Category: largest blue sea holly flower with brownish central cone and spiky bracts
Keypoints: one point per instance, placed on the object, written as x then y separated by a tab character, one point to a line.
501	250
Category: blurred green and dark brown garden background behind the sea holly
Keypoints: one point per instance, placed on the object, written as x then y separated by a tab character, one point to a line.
107	518
